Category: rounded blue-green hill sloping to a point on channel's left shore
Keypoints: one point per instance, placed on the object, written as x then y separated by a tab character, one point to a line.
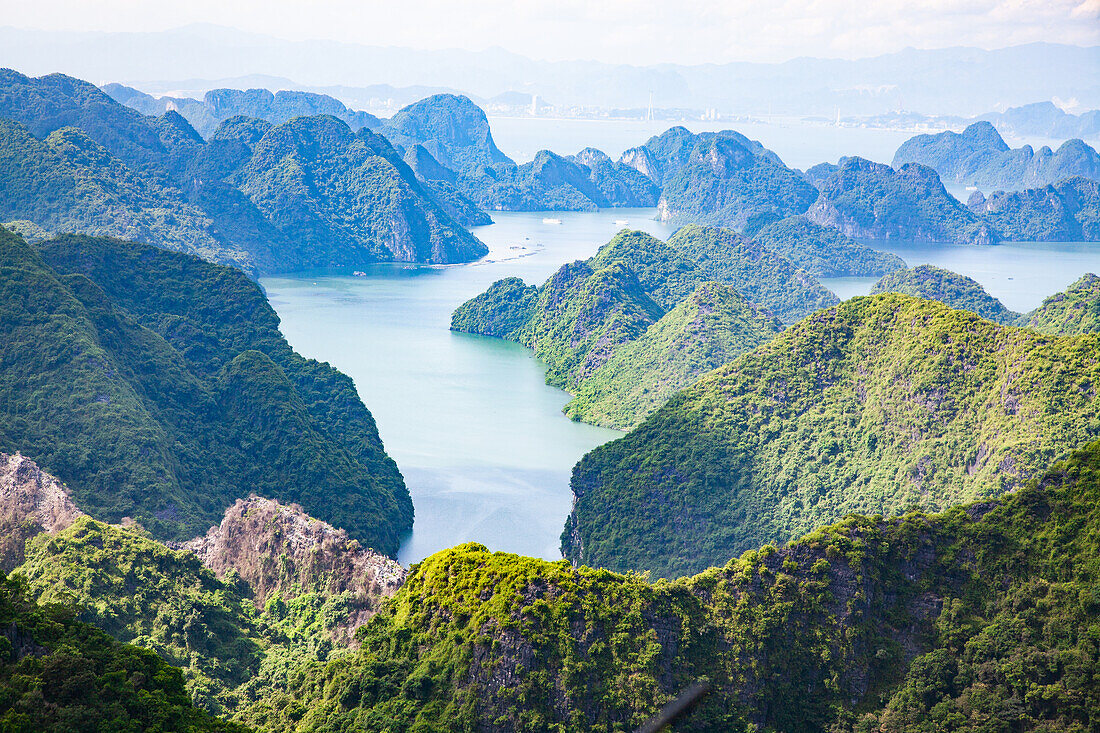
348	199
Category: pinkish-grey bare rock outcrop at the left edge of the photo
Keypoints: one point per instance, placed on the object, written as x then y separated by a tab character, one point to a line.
31	502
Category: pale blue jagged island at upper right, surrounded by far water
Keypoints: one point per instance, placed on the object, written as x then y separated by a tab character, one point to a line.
980	157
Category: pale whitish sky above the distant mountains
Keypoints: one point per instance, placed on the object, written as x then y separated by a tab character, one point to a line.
619	31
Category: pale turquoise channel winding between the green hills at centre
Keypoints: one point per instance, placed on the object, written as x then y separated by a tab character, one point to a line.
478	434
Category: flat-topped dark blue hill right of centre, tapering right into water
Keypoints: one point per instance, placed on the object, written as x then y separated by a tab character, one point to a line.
872	201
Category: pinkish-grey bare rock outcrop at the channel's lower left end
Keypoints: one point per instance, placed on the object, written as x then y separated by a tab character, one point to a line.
280	550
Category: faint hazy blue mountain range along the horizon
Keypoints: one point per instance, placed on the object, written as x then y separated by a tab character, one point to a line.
960	81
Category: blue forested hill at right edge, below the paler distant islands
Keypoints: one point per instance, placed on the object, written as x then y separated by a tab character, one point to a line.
1066	212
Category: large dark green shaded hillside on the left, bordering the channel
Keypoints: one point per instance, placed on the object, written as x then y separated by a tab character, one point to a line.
159	387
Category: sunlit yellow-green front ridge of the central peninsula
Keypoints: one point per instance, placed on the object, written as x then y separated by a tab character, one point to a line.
703	332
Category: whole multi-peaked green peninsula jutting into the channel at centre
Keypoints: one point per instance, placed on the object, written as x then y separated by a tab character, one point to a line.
610	330
